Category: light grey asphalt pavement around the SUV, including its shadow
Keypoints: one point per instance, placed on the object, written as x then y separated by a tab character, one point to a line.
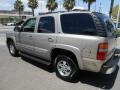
24	74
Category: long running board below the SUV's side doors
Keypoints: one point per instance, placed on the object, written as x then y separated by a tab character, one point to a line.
35	58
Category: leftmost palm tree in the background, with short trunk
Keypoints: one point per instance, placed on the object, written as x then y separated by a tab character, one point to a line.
18	6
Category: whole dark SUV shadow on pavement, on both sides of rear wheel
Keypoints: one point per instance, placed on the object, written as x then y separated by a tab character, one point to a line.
94	79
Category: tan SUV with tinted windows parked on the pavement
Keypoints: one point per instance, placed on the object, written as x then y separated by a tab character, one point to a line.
69	41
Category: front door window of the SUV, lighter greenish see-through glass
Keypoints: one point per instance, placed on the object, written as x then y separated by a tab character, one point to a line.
29	25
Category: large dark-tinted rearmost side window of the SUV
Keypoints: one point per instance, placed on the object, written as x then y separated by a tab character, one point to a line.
78	24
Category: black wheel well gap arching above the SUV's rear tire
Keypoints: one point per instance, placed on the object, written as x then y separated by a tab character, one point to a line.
58	51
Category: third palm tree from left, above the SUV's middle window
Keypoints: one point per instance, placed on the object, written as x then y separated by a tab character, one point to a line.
51	5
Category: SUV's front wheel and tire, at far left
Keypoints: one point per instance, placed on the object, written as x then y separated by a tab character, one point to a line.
12	49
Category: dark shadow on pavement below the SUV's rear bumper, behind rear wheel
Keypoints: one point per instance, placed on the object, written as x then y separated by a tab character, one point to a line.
98	80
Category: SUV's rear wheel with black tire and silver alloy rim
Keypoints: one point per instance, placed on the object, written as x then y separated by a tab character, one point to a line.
66	68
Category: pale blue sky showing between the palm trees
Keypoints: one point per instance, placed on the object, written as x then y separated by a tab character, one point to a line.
104	4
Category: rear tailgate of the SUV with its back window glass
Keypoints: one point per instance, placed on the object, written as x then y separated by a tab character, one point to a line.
109	33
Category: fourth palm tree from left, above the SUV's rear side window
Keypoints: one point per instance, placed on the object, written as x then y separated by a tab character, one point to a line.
69	4
